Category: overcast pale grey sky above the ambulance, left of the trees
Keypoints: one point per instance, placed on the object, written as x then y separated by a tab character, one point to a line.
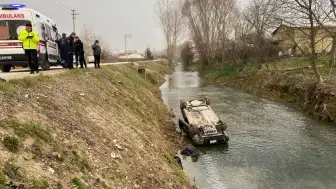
110	19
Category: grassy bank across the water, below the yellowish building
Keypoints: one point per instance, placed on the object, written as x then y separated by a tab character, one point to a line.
288	80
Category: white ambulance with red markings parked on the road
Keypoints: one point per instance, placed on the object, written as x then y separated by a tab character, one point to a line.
13	18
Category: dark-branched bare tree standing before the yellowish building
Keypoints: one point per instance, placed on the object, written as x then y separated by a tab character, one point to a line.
307	16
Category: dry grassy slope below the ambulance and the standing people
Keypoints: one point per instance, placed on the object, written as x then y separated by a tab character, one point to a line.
88	128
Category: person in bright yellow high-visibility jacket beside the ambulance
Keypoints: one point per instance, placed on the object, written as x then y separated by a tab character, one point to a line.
30	40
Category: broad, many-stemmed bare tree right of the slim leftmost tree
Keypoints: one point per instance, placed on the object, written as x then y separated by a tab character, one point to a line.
210	24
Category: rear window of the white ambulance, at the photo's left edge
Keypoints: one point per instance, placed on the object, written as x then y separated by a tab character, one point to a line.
10	29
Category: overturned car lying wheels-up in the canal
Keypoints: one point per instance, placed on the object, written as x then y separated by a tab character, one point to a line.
201	123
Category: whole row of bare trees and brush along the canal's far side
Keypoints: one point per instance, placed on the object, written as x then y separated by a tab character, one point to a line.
222	33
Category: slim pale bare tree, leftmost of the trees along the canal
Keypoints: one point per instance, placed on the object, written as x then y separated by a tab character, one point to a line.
170	18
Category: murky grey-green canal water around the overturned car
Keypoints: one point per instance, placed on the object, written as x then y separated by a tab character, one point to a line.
271	145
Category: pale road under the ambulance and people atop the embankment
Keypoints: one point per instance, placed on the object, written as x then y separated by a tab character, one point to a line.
24	72
